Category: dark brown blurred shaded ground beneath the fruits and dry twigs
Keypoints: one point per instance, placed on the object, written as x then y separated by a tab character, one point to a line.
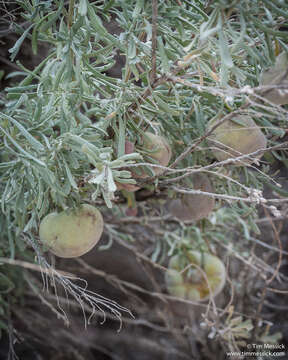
162	328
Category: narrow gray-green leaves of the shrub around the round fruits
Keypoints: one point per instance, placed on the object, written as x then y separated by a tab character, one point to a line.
63	126
